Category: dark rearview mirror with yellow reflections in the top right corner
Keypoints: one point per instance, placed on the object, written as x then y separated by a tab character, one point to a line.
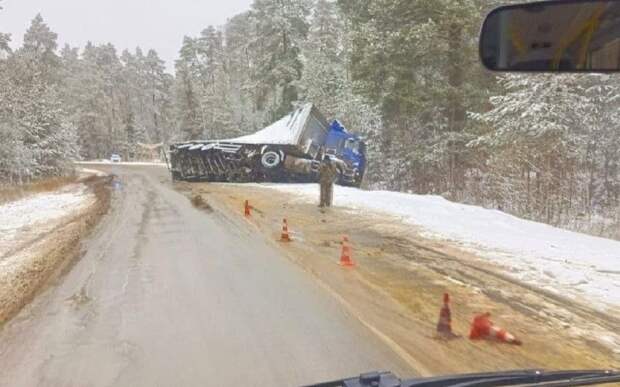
553	36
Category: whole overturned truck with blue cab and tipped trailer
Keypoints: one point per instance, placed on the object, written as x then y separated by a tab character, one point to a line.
289	150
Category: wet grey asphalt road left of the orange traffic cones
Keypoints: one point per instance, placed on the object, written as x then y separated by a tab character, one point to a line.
167	295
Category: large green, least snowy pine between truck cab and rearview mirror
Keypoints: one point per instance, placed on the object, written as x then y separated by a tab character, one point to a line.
413	59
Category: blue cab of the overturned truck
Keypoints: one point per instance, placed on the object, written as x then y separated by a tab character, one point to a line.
351	150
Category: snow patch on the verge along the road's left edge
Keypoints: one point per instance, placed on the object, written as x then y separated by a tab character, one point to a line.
36	214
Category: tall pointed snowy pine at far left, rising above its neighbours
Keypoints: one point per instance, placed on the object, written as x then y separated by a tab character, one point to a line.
34	108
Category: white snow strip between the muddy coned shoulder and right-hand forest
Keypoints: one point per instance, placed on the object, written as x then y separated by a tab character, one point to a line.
557	260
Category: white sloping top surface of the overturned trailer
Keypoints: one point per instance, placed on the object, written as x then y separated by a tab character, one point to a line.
285	131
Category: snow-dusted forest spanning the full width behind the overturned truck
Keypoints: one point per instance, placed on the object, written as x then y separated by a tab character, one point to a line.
404	73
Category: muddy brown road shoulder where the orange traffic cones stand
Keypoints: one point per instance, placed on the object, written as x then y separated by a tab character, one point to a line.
396	288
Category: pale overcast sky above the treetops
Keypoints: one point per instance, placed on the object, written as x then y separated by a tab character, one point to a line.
158	24
